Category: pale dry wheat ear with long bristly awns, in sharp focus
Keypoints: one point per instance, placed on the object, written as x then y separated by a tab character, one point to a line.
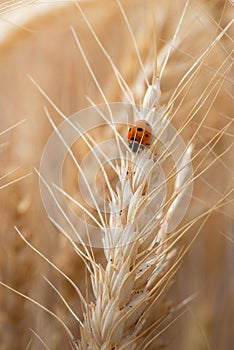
126	307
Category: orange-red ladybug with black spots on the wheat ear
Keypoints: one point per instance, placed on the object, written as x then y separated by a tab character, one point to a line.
139	135
